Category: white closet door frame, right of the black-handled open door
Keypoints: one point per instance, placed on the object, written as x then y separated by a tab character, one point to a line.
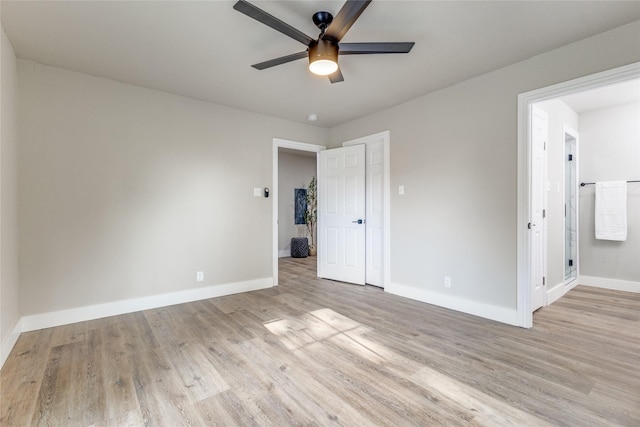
385	136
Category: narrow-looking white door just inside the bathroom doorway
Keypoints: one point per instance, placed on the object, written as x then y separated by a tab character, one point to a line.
539	131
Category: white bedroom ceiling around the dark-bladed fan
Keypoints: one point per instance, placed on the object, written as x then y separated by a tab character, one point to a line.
204	49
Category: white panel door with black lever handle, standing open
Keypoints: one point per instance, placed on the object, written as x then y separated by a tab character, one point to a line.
341	214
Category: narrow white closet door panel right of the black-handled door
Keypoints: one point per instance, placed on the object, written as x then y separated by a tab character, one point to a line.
375	213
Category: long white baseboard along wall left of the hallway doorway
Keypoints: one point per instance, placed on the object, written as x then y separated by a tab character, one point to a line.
81	314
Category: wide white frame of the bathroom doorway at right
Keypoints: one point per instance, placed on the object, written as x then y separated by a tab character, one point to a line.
525	100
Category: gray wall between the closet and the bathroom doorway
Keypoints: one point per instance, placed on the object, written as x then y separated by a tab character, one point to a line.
455	152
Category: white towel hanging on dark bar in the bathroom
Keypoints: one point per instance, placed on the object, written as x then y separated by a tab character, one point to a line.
611	210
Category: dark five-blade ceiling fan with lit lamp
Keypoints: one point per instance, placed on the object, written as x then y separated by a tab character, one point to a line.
323	52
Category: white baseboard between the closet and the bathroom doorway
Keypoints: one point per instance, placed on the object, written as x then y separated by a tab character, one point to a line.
487	311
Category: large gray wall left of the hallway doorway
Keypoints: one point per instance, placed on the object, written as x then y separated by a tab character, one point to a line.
126	192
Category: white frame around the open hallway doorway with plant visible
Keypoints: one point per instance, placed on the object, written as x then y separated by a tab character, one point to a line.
292	145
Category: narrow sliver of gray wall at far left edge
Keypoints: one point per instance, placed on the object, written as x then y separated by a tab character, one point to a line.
9	293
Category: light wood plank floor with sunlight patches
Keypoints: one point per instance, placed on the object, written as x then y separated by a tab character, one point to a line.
316	352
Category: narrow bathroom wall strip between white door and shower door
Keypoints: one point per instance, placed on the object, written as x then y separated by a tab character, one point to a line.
559	115
